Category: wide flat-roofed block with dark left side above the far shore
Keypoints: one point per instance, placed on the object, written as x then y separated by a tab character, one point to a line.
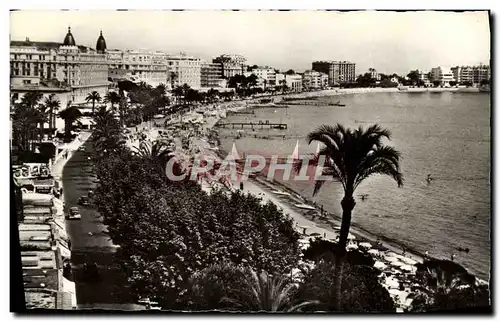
338	72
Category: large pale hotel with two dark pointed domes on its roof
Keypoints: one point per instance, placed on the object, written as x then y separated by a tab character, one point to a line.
66	69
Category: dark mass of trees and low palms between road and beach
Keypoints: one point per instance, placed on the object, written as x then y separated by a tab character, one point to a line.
190	250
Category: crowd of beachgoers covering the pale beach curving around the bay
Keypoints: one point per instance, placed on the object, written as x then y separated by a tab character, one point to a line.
397	263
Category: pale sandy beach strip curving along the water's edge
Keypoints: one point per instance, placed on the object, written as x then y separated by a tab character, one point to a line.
396	262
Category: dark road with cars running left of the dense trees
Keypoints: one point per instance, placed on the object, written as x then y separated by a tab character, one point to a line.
110	290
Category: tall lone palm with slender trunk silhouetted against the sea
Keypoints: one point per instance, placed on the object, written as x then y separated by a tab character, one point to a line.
351	156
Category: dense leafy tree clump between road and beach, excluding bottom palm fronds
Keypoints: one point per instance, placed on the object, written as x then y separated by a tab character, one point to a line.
168	231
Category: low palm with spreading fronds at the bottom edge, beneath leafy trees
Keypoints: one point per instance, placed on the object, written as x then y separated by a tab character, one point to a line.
266	292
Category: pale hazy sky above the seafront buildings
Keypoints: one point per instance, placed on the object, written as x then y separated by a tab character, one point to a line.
387	41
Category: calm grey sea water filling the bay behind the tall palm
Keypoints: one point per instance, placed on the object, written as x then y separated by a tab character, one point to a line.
446	135
